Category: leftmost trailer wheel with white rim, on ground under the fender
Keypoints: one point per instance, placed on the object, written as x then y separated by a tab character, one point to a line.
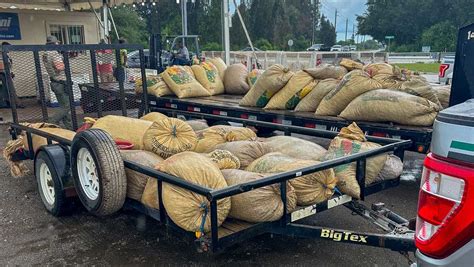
50	186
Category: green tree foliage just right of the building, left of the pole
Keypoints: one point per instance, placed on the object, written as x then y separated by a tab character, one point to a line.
130	25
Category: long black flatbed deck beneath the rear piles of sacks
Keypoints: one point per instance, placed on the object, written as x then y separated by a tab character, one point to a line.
228	106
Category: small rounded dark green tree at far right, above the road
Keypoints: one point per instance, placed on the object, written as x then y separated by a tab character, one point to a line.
441	37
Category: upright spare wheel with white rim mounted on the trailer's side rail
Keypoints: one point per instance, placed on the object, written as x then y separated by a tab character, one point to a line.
98	172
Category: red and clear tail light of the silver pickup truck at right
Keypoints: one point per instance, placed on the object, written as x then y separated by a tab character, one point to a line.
445	220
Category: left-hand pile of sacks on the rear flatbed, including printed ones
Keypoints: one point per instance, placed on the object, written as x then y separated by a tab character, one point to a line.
211	77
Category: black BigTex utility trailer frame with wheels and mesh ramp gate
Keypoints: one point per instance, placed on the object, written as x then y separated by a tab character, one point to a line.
90	166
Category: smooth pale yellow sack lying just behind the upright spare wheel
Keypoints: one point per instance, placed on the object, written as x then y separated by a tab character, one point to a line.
124	128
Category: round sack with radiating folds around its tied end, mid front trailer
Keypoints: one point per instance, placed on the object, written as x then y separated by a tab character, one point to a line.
168	137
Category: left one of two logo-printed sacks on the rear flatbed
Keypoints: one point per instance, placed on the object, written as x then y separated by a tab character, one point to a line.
182	83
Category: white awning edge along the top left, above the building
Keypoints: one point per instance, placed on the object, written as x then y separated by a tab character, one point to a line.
60	4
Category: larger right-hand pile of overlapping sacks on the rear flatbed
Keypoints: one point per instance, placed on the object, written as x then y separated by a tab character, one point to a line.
375	92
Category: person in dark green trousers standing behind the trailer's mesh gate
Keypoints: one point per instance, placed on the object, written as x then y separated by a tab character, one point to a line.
53	62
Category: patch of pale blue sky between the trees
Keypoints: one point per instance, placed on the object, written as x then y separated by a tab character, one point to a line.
346	9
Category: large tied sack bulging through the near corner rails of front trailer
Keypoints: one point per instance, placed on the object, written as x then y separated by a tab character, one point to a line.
188	209
